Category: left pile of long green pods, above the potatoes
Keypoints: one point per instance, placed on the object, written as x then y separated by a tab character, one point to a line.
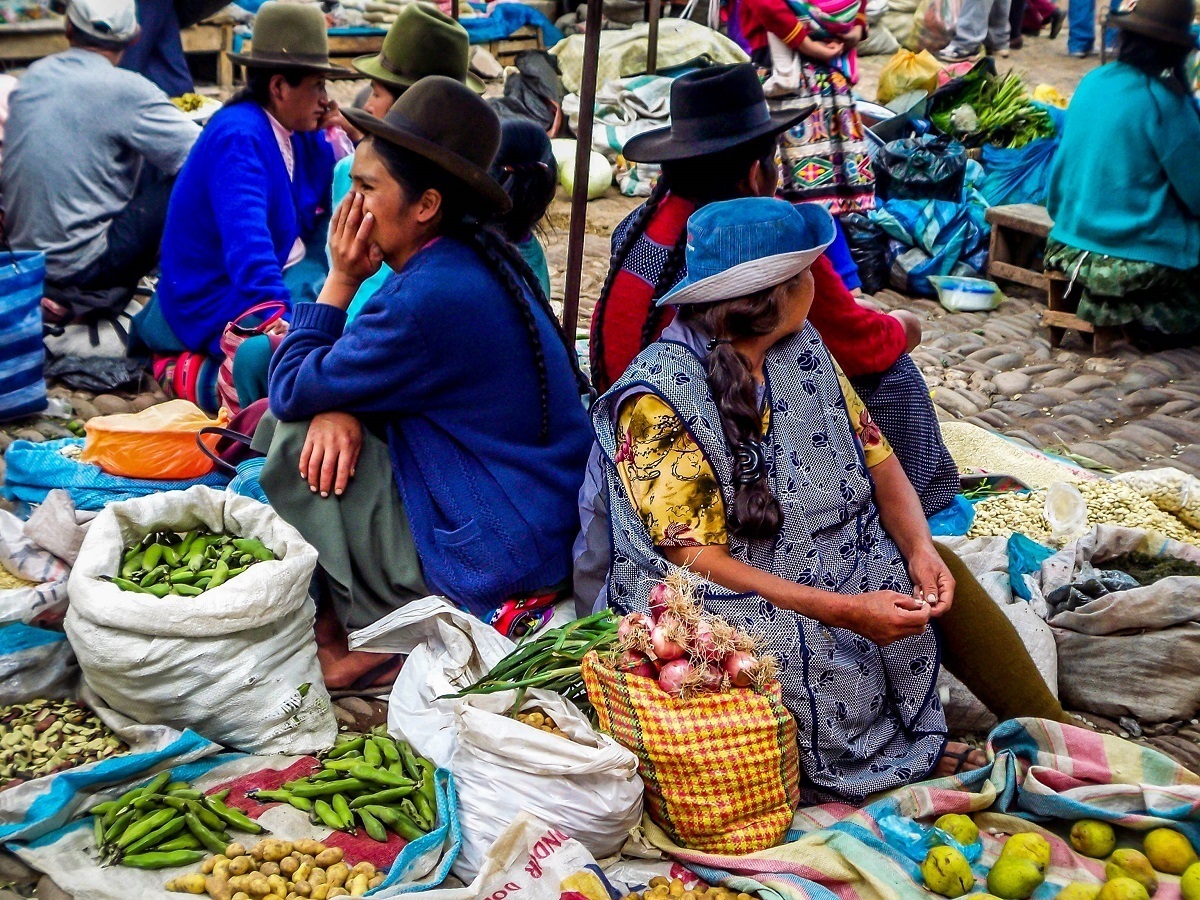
165	825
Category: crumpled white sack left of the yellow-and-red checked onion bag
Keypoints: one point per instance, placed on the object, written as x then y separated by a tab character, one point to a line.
591	790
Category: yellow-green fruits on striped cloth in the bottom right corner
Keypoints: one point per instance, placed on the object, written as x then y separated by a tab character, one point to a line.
1022	867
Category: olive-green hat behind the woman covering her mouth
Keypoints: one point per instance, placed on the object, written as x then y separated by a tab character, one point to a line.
422	41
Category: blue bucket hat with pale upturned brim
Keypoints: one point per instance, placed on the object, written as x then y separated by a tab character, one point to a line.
740	248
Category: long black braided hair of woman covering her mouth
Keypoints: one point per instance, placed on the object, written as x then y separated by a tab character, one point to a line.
417	176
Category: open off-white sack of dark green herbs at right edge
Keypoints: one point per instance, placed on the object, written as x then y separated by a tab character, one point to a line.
1133	652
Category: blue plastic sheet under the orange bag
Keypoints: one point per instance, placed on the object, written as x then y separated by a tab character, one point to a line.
35	470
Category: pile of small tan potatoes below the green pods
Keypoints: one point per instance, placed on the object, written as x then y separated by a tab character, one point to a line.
279	869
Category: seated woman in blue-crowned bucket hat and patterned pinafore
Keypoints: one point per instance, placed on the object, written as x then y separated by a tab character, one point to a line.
737	455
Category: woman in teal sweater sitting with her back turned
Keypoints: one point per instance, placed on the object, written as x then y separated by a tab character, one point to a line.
1125	190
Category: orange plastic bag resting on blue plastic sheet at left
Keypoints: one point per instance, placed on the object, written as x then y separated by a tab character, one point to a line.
158	443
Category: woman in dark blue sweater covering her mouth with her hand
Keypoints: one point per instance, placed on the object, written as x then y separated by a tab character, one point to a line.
448	439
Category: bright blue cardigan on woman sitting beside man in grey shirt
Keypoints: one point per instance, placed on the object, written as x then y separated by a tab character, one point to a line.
233	220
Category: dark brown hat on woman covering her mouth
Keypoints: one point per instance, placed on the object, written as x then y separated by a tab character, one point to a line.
448	124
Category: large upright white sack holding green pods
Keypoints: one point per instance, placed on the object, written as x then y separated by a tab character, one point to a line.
237	664
